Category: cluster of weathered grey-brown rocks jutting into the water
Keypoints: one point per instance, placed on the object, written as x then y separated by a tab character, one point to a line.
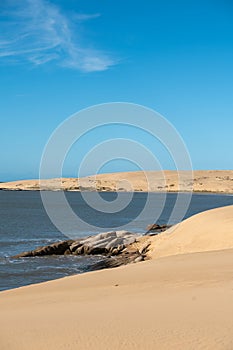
116	247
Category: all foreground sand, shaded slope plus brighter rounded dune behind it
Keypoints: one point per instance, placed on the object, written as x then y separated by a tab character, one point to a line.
180	299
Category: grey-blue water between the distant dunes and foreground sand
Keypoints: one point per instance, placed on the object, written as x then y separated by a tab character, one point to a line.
24	225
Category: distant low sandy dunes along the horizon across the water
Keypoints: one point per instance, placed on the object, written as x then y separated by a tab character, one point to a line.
220	181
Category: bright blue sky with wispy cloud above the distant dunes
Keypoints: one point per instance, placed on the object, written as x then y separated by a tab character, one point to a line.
59	57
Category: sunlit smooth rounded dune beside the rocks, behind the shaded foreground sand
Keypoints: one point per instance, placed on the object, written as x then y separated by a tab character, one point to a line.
206	231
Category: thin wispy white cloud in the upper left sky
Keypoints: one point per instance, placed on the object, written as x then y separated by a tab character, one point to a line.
38	32
